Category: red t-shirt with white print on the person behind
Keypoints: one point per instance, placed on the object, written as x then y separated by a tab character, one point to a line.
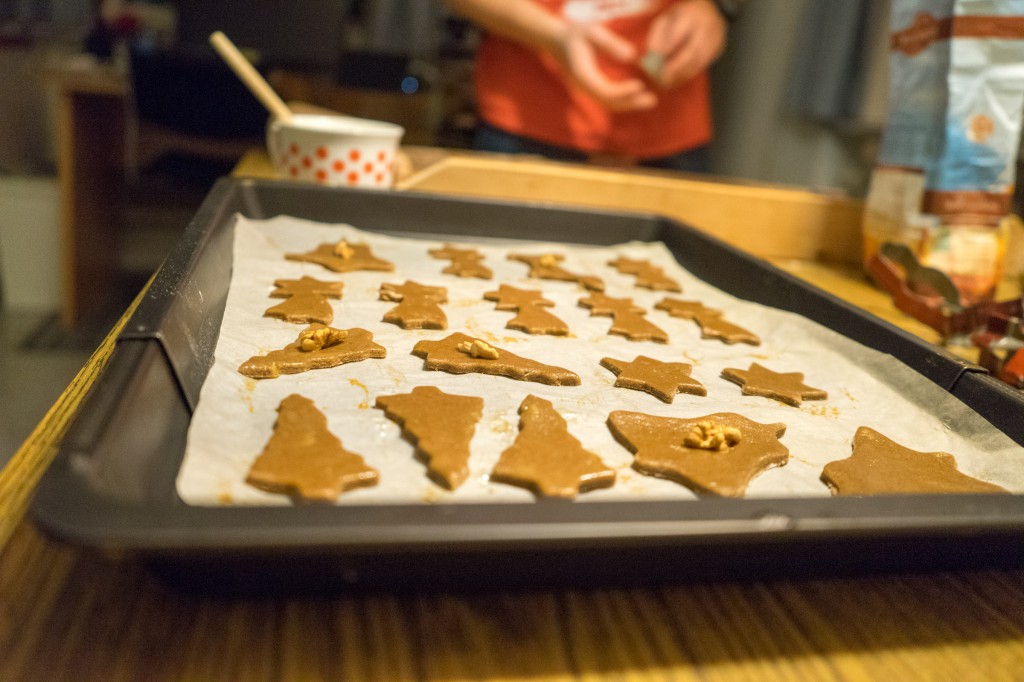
528	94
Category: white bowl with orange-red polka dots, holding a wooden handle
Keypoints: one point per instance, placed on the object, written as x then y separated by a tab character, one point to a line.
336	151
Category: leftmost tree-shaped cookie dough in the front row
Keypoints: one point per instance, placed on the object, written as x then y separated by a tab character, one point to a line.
305	460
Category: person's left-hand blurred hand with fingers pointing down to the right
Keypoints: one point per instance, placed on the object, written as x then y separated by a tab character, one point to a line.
580	47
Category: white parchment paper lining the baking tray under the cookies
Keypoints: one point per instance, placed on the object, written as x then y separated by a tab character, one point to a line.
236	415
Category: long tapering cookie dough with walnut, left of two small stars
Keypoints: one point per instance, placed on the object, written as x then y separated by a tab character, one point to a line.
460	354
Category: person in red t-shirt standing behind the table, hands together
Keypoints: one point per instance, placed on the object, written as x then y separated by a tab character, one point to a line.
621	81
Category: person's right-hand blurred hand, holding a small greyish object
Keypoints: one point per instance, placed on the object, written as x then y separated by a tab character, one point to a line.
690	36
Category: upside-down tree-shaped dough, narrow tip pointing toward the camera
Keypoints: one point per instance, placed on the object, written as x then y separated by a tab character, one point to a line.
441	425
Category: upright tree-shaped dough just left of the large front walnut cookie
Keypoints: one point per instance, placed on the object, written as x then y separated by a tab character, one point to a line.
546	459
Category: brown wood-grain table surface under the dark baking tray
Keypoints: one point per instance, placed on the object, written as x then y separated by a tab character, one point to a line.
72	615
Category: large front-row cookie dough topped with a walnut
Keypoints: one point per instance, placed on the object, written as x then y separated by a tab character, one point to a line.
718	454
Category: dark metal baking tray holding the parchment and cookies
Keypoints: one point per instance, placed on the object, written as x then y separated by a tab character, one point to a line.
112	486
